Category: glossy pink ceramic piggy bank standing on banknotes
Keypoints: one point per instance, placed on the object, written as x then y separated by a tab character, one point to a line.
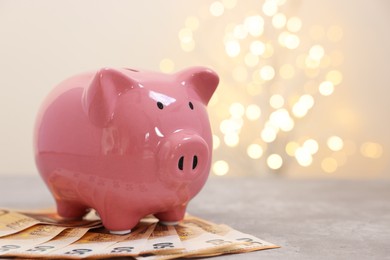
126	143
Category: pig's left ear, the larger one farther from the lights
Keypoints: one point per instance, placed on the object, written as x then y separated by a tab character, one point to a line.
100	97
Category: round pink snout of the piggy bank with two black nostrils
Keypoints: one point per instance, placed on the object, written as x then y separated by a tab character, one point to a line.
183	156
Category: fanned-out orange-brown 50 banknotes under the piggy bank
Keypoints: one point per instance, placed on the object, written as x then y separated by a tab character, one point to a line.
42	234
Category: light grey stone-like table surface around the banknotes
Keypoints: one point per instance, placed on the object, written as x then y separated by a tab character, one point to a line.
309	219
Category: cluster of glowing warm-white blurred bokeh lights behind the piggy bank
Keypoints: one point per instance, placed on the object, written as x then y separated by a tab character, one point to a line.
274	69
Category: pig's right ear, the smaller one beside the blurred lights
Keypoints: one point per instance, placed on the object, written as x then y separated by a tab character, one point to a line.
202	80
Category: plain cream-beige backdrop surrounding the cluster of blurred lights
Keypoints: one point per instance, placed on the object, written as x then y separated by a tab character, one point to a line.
44	41
